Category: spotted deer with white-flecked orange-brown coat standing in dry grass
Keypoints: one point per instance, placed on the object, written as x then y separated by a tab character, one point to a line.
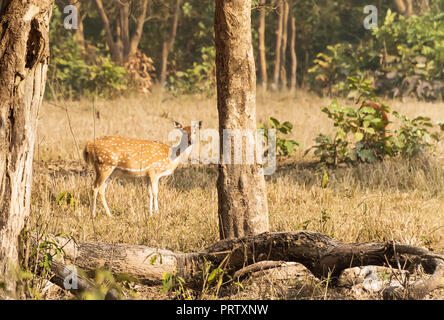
127	157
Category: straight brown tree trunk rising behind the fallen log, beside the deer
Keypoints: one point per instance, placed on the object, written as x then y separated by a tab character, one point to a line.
242	198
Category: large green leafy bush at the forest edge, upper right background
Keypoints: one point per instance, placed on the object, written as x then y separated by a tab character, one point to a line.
404	56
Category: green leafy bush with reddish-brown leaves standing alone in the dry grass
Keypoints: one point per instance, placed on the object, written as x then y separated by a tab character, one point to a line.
361	136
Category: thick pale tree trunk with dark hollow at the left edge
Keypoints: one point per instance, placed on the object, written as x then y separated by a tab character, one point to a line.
24	51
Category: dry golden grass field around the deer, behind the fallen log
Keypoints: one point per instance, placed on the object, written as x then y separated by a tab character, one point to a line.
392	200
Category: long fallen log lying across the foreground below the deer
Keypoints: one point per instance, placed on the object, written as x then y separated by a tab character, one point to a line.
322	255
